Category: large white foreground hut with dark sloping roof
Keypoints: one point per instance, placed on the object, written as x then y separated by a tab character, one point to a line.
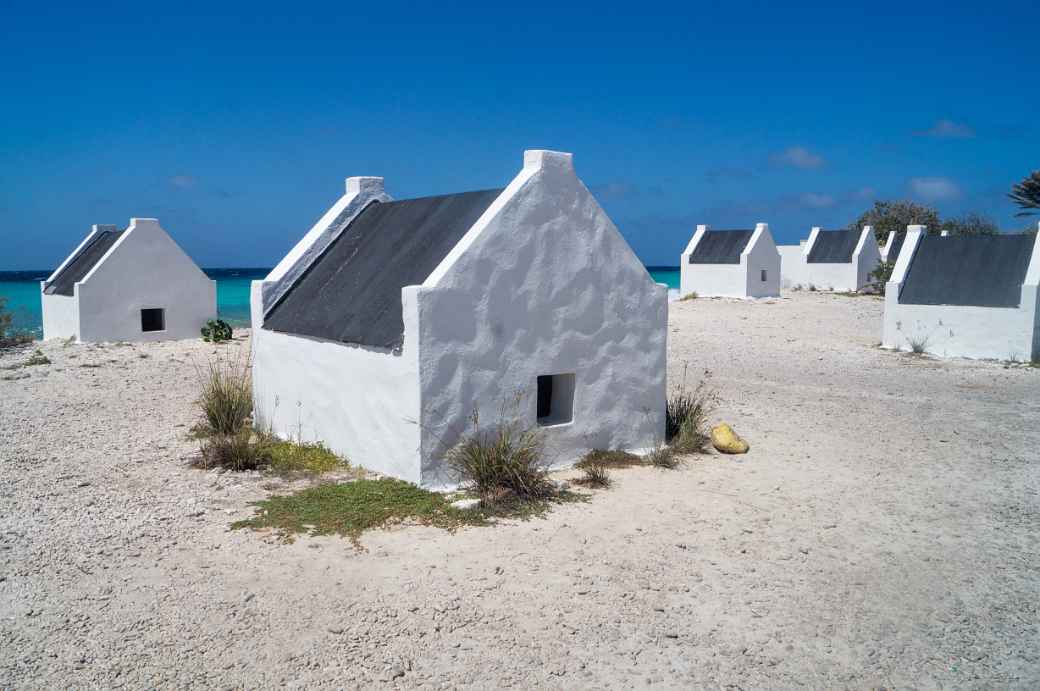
393	325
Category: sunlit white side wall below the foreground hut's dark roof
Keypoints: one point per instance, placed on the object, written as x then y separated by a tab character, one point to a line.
361	403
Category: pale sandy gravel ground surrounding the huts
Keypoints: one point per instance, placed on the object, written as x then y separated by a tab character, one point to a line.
885	531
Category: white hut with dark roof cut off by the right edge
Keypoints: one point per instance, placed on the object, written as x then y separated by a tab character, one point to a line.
966	296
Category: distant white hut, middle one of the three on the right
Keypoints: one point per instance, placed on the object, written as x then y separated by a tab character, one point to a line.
839	261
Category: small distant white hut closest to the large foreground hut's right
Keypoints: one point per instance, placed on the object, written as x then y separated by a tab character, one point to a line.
731	264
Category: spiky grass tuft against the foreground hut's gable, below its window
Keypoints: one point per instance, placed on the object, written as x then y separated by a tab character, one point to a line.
504	464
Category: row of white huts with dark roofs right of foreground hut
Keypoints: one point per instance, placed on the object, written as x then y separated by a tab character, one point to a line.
972	297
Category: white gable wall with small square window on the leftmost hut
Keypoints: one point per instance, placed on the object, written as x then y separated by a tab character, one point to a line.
145	269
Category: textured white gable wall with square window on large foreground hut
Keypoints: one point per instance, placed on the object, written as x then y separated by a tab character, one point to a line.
542	285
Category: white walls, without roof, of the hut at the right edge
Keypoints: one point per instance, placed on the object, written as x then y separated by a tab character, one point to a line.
1001	334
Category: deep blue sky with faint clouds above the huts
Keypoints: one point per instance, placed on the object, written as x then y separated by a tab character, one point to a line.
236	125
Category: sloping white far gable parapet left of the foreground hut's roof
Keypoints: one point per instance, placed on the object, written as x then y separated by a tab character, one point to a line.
360	192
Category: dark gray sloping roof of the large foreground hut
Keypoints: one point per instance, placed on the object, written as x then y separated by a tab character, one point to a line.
352	292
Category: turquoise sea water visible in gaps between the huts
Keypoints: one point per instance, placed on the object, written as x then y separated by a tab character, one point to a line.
22	291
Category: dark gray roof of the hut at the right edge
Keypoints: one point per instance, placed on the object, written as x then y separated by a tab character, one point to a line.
985	271
